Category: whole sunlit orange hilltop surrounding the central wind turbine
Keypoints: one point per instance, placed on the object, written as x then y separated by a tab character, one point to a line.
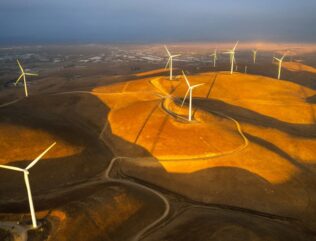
140	120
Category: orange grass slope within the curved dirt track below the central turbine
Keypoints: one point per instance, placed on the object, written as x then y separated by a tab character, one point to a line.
137	119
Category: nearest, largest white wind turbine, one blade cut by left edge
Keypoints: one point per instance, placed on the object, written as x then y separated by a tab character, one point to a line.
27	182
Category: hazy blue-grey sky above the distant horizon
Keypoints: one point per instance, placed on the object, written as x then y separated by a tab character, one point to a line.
40	21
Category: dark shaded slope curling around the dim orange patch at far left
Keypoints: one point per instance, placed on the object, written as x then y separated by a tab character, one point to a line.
60	116
